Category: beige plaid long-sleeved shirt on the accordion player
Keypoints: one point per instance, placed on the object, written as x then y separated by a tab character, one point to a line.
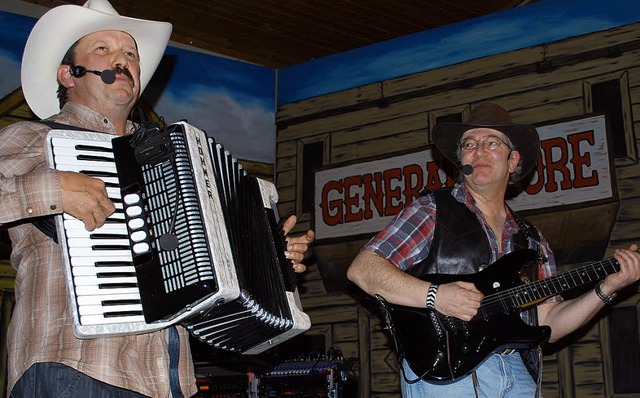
40	329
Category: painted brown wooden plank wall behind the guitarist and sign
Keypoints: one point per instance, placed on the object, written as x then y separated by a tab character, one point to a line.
537	84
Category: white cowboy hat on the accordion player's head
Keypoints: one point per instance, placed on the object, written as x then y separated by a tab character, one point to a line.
57	30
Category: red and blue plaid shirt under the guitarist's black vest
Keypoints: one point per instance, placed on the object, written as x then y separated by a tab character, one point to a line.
407	239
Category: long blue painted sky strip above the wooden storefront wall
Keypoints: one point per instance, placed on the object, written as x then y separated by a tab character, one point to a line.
533	24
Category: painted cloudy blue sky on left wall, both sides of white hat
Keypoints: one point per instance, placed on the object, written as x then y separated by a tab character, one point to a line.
233	101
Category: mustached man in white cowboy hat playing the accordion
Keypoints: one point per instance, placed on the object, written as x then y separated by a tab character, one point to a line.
99	62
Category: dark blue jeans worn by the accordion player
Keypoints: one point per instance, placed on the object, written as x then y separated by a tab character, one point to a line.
54	380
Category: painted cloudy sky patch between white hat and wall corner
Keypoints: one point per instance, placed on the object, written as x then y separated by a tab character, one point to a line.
233	101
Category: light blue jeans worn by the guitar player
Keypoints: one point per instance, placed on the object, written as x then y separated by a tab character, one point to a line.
500	376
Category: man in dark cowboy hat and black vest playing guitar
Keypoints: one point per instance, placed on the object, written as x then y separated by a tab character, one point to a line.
462	230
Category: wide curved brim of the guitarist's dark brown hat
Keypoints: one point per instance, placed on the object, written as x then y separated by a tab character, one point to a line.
446	137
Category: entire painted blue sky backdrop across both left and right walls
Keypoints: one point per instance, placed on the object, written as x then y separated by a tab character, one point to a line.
235	101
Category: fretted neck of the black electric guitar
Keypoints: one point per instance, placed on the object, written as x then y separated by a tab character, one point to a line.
533	293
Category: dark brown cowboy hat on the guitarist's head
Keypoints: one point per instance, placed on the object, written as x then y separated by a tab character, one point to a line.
525	139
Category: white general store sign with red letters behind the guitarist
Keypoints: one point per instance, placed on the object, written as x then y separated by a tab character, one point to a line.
573	167
